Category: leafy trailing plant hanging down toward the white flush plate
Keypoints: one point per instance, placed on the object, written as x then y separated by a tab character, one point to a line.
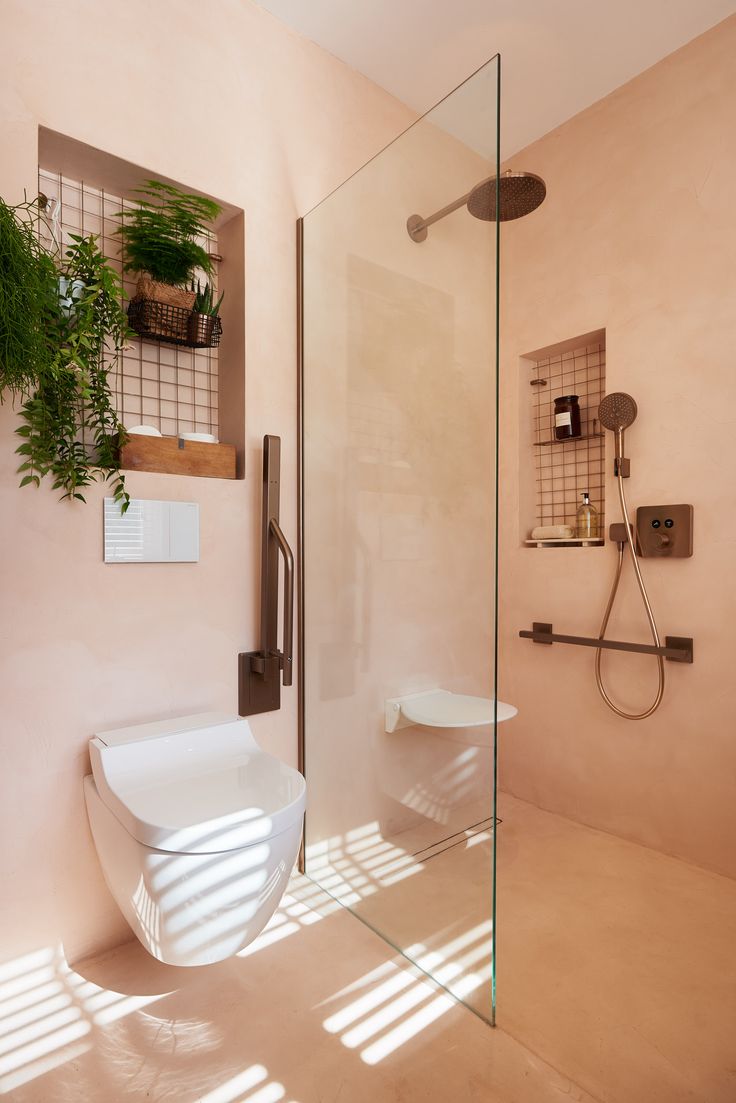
71	431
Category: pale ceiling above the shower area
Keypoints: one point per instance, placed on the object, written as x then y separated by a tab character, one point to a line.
558	56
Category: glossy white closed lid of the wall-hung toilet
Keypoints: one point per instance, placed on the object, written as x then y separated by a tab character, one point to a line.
201	790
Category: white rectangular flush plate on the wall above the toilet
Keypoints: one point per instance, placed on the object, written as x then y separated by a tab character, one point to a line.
152	532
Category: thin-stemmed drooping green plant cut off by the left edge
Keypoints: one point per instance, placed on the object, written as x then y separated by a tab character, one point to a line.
28	299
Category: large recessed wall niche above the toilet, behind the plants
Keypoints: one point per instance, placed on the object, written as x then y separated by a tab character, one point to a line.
174	389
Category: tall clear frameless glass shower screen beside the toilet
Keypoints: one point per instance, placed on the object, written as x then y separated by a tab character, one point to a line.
399	506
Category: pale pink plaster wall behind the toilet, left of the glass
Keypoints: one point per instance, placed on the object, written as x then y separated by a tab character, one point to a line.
83	646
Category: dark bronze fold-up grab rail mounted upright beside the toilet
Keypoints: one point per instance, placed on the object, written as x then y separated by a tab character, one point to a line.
260	672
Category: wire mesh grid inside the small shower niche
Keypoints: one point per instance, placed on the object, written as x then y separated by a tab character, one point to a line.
564	469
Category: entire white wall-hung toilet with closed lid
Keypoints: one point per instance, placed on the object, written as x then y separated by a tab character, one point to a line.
197	830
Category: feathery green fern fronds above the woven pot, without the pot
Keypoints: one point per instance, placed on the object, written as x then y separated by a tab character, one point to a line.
161	235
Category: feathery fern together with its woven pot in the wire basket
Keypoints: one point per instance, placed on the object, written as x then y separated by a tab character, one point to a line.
162	240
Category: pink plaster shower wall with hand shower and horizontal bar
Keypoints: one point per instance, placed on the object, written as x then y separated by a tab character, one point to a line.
638	237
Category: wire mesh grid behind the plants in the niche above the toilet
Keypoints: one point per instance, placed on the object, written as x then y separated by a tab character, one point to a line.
173	389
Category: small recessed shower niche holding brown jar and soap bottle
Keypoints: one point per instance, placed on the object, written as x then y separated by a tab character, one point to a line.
556	473
